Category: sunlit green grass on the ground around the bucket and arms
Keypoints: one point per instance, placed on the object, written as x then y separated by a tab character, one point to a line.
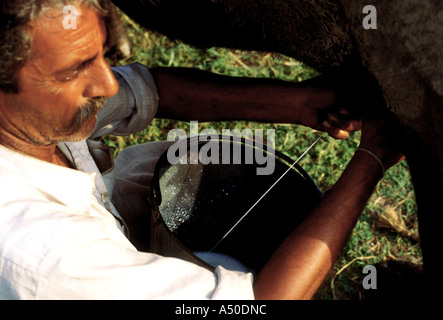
370	242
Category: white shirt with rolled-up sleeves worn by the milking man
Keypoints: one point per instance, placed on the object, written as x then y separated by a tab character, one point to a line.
61	238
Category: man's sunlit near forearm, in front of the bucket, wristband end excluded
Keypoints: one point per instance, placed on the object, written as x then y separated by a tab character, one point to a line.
299	266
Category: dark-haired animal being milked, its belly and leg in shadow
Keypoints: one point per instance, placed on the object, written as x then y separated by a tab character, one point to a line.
399	64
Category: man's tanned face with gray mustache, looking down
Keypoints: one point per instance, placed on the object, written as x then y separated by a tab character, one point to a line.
63	84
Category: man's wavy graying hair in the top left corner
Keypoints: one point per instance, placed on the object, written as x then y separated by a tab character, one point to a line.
15	42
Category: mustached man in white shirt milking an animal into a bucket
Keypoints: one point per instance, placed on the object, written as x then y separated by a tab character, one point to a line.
60	235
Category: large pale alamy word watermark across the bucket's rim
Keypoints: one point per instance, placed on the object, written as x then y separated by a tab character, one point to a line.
258	151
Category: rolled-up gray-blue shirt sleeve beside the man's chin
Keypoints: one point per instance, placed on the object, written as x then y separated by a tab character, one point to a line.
133	107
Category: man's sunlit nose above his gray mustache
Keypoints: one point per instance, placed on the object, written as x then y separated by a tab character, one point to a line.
102	82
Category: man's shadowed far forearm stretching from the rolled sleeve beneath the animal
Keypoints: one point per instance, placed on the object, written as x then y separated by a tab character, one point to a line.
190	94
